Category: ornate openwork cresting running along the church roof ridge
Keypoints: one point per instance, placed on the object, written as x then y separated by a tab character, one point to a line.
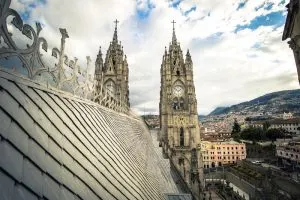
65	74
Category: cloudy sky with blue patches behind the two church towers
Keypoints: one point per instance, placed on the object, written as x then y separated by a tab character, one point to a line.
235	45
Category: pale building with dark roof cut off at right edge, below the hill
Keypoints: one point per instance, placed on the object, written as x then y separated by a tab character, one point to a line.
289	153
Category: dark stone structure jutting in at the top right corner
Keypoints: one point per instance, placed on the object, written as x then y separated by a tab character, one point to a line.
292	30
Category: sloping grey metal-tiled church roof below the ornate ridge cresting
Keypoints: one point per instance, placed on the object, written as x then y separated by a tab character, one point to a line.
59	146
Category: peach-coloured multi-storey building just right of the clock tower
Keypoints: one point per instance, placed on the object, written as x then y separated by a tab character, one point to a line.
216	154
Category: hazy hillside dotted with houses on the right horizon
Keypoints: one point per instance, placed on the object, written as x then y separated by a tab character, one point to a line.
272	103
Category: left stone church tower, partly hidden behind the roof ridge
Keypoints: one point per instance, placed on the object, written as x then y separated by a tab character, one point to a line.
111	76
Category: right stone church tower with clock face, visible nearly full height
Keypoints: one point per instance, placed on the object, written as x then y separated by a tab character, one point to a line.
180	134
